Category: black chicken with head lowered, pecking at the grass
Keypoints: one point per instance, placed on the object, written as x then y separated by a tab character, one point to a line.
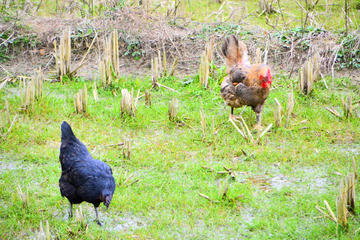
83	178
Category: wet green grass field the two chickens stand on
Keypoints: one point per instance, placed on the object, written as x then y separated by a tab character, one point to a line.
167	157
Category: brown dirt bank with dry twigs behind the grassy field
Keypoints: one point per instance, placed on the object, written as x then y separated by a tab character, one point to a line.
146	34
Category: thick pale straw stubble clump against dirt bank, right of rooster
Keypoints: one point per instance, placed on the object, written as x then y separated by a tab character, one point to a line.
309	73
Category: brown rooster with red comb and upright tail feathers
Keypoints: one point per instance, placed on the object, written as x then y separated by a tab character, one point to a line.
246	85
